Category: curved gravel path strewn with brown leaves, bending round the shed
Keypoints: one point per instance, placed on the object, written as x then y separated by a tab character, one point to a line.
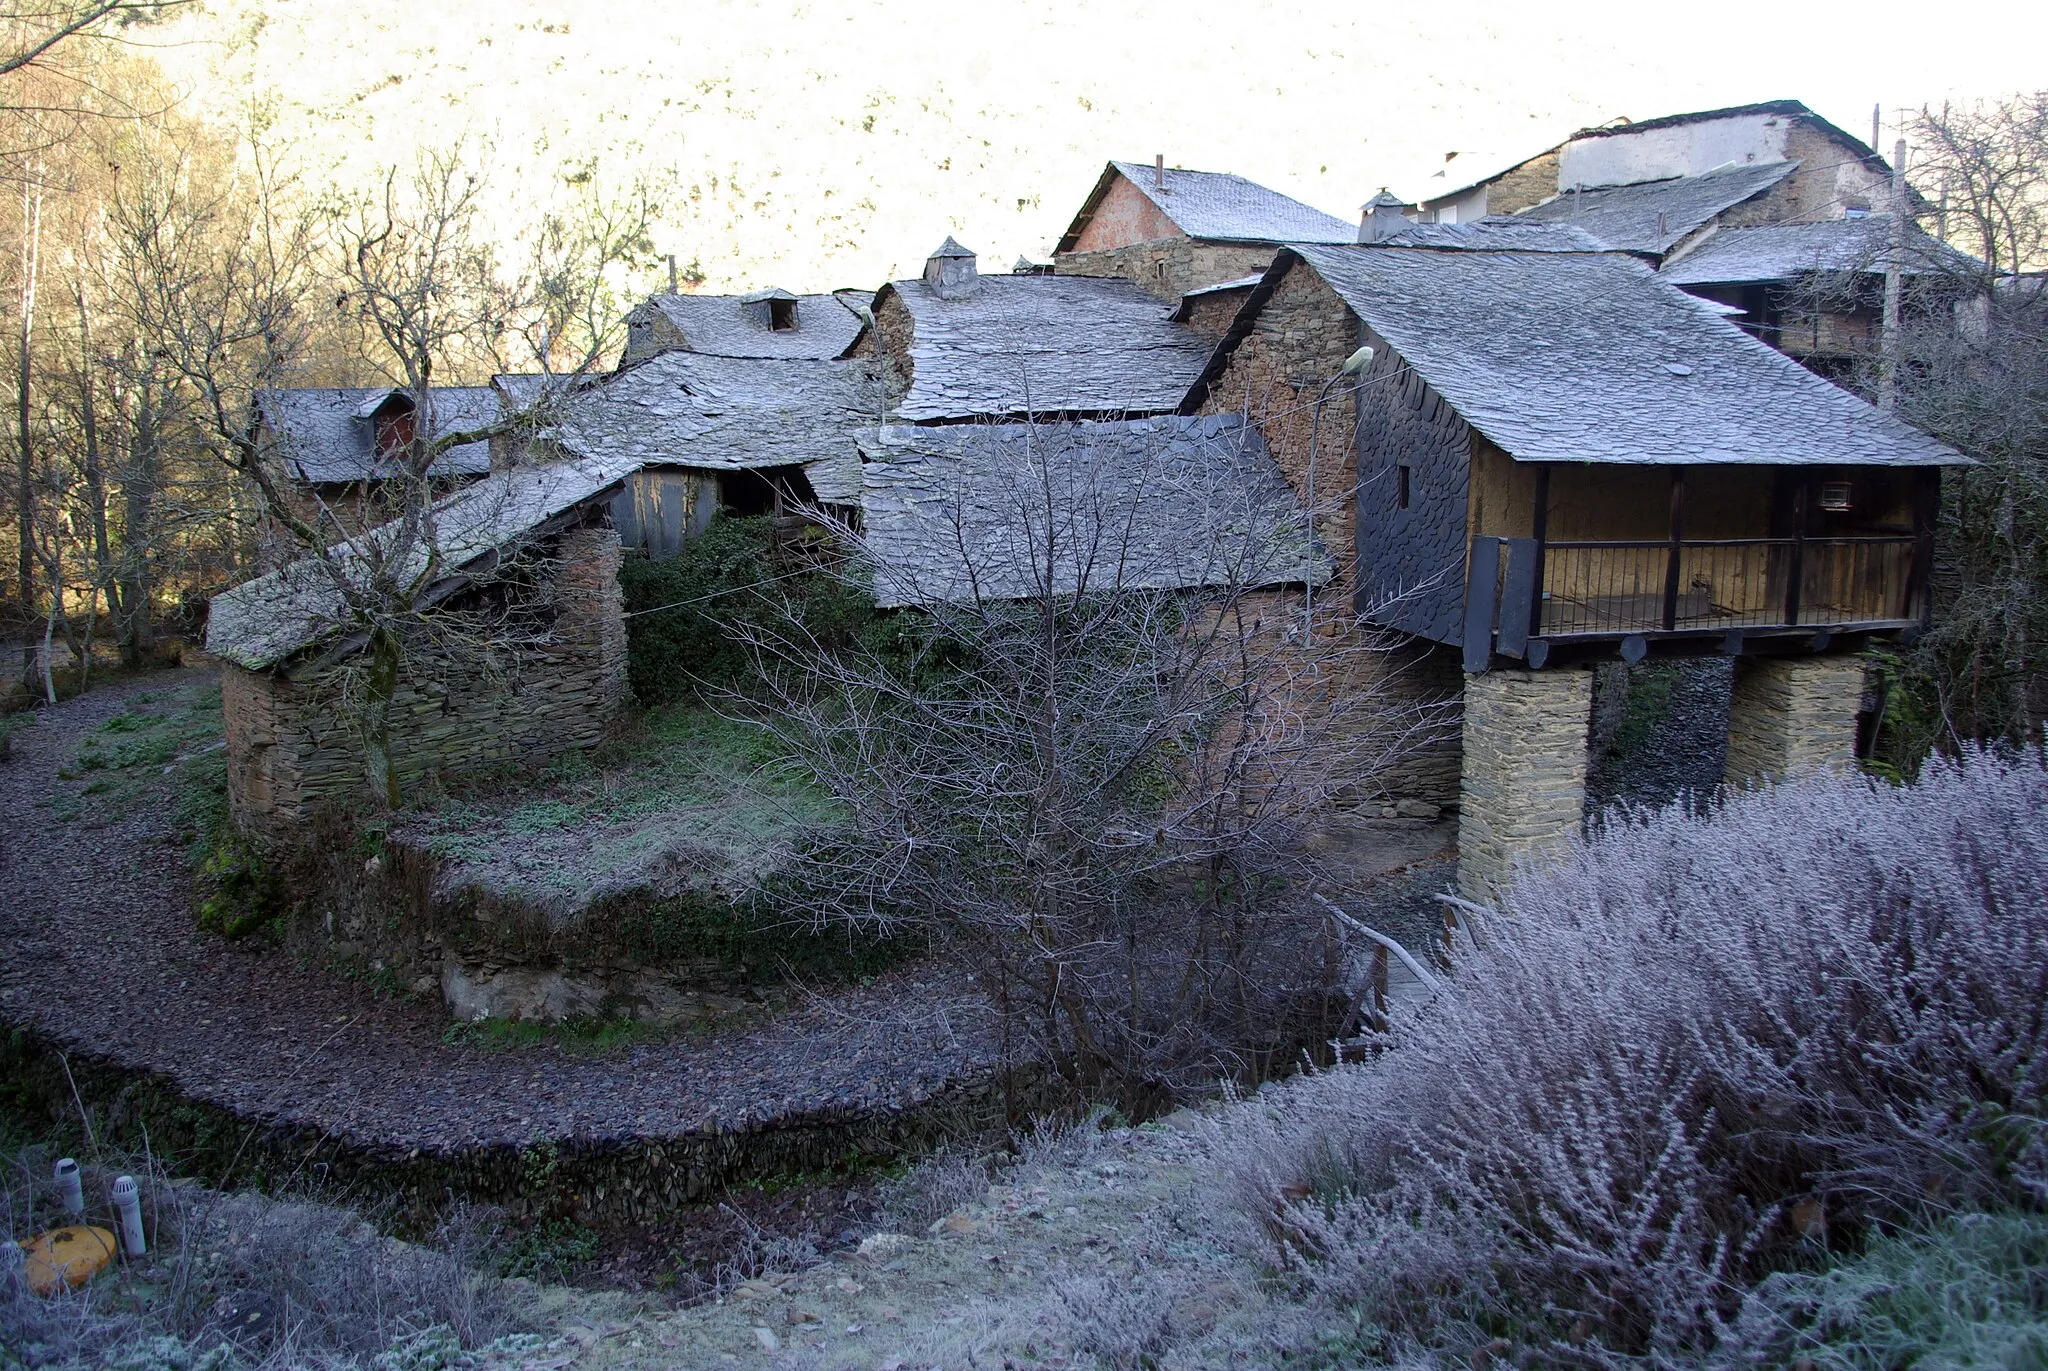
99	952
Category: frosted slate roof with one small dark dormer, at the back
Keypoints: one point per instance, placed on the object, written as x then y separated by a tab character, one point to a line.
769	325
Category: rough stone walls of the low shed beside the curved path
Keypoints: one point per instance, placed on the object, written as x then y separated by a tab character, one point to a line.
292	749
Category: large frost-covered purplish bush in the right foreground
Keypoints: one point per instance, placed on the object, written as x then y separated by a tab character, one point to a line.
1691	1052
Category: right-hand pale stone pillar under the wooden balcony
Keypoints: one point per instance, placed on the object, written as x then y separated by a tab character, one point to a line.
1793	716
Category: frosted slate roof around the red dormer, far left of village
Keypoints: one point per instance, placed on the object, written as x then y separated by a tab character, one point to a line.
327	438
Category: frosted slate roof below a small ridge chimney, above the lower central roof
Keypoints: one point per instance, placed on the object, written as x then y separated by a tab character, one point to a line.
1043	345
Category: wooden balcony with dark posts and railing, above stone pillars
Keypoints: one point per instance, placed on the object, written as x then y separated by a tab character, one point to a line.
1529	595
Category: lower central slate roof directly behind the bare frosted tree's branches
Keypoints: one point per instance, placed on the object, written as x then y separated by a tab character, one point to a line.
1172	503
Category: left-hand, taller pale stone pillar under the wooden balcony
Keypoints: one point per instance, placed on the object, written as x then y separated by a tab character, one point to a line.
1523	784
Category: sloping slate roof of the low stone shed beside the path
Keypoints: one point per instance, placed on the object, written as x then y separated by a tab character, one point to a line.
263	622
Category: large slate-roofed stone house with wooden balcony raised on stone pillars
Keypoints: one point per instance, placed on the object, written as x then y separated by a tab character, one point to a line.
1555	458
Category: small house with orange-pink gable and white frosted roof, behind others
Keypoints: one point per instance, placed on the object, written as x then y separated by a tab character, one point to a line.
1175	231
